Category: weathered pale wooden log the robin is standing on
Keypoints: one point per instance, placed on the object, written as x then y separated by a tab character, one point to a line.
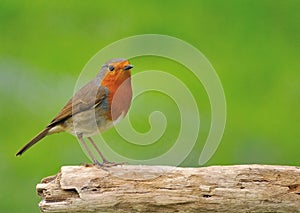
242	188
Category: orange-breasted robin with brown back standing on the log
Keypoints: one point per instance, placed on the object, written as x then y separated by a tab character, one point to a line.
94	108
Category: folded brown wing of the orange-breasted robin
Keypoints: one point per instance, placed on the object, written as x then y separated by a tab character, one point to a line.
86	98
